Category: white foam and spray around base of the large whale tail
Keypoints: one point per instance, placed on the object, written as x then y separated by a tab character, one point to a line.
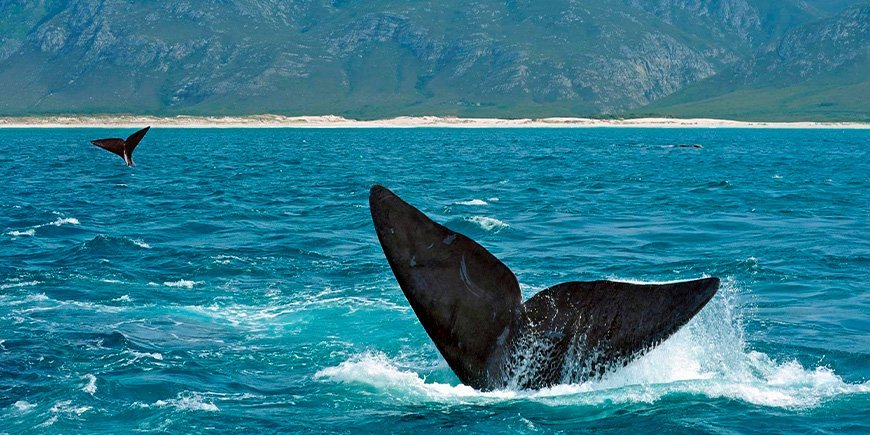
708	357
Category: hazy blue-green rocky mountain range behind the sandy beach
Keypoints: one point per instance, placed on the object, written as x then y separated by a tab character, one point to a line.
380	58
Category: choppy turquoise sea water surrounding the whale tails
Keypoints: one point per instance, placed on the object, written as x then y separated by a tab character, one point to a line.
233	280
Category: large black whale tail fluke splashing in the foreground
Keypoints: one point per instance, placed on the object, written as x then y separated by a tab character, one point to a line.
471	306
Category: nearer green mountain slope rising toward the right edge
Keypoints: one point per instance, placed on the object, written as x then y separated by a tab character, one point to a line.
819	71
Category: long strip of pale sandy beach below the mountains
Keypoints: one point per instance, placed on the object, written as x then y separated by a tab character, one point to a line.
331	121
